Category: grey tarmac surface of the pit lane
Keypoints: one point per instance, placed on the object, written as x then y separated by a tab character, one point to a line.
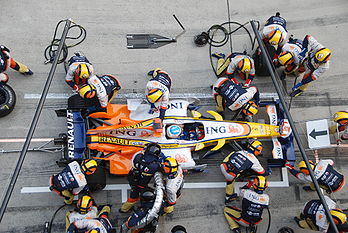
28	27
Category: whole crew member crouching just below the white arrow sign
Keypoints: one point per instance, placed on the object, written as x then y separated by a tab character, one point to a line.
327	177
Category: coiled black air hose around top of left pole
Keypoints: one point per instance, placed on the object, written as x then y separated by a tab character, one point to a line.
51	50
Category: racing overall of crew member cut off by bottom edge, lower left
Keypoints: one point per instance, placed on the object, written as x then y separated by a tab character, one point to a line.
100	224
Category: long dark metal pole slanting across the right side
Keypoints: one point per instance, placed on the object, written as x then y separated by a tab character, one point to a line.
275	77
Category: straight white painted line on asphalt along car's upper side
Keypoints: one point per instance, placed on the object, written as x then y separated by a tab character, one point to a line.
141	95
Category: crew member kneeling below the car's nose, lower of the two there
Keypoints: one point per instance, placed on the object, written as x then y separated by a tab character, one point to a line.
253	203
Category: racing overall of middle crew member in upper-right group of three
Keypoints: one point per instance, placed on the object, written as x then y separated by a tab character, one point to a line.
294	46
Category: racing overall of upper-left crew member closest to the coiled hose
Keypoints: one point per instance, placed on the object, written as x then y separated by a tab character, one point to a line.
71	78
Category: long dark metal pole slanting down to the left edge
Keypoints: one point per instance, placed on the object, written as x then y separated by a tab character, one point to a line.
33	123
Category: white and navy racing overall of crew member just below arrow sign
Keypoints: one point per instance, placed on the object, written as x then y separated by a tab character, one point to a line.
327	177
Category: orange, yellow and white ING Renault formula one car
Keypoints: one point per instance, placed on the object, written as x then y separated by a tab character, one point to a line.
115	135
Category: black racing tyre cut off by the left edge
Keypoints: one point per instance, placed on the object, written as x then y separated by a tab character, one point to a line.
7	99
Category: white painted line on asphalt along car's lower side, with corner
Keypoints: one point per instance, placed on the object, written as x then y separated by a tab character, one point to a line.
204	185
